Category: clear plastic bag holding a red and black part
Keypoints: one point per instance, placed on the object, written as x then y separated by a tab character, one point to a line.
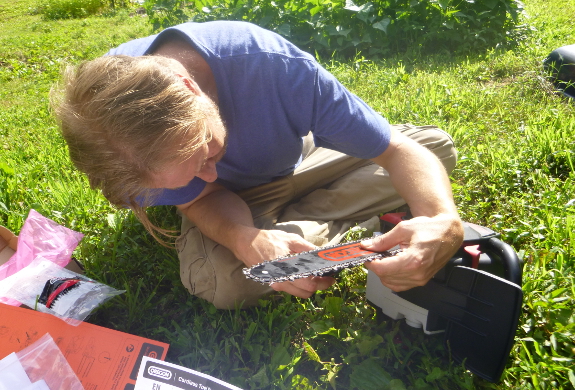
49	288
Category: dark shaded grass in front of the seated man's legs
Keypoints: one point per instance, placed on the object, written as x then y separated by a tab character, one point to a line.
285	343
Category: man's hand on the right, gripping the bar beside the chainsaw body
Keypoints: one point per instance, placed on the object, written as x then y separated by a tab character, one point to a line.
427	244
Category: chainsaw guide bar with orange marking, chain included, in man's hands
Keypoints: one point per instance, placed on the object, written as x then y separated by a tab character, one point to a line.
318	262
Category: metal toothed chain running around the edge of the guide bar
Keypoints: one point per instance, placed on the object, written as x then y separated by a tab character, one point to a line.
319	271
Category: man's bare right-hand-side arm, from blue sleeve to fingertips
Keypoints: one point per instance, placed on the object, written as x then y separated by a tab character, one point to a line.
435	232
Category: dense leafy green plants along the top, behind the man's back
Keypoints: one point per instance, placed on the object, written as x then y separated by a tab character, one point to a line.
374	28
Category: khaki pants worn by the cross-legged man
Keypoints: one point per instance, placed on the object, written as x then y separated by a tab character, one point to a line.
328	193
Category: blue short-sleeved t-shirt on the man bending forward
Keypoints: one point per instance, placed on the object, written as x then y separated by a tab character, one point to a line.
270	95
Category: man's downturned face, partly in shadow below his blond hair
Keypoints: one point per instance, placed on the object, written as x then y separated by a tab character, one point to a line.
201	164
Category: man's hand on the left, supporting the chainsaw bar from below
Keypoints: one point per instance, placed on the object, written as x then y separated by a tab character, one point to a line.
265	245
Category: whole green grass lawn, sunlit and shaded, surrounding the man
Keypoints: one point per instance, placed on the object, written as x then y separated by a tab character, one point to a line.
516	142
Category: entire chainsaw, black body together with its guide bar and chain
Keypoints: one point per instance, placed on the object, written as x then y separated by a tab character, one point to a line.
475	298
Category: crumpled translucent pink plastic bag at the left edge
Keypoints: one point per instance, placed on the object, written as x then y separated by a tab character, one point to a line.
40	236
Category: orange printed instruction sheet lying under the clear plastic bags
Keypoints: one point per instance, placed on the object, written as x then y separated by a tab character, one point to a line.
103	359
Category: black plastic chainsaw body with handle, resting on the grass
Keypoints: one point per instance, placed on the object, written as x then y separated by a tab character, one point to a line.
476	299
